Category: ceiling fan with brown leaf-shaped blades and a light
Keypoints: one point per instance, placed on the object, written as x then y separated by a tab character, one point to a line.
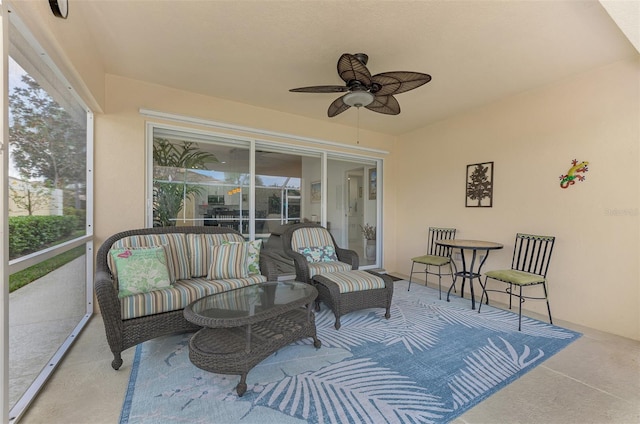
373	92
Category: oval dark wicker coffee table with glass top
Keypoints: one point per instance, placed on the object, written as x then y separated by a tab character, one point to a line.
244	326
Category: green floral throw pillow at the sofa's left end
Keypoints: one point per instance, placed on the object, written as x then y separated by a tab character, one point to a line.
140	270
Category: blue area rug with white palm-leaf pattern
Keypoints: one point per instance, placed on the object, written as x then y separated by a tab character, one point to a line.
431	362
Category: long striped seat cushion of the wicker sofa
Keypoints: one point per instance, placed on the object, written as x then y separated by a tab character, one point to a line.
179	295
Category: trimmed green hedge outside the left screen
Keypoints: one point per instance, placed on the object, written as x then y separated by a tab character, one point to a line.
31	233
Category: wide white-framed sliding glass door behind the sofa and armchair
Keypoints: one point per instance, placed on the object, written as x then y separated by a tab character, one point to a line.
257	188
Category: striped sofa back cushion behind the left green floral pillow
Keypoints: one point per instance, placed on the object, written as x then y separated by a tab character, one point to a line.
177	246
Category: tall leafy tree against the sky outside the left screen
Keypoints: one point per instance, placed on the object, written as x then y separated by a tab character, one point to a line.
48	149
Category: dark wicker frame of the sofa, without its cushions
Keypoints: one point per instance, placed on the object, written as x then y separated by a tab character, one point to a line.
125	333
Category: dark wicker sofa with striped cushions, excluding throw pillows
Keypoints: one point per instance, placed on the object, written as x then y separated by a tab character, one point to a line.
133	319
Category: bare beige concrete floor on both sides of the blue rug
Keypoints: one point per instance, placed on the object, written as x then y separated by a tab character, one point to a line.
596	379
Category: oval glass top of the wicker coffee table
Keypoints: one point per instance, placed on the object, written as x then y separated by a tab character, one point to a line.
249	304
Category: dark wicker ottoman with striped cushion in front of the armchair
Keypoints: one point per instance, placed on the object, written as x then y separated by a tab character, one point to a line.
348	291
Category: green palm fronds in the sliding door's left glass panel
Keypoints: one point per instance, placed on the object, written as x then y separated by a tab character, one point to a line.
169	192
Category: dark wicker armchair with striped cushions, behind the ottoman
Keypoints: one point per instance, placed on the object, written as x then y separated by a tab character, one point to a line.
347	259
